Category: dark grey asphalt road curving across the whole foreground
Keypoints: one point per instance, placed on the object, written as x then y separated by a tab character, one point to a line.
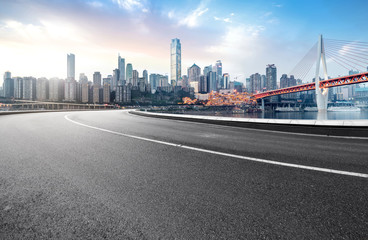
120	176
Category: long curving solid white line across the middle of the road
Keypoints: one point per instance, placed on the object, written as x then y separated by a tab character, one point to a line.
355	174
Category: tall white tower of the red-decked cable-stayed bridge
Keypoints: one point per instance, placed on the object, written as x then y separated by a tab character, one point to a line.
321	94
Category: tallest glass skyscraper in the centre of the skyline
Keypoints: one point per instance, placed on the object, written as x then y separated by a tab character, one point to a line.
175	61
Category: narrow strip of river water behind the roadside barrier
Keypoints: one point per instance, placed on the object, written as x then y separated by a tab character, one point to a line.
293	115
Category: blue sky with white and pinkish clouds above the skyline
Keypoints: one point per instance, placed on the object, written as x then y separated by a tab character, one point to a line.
36	36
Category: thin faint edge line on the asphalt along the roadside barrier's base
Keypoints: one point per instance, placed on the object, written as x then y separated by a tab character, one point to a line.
219	126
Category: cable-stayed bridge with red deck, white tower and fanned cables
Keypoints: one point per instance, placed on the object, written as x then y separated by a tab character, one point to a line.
351	55
